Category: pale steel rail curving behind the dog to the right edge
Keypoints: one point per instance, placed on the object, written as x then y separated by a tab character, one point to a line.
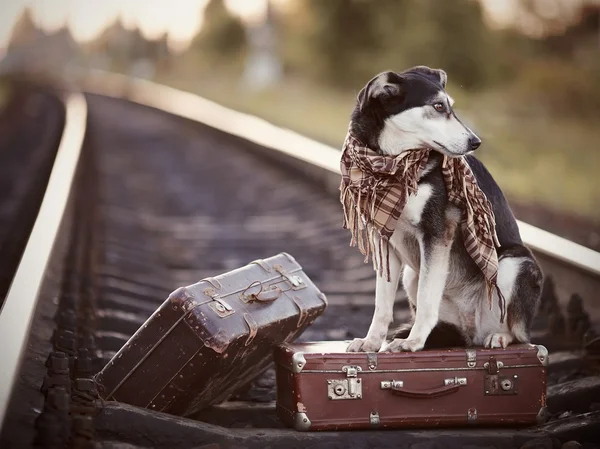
290	143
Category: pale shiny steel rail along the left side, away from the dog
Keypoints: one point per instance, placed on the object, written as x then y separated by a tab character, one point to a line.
19	307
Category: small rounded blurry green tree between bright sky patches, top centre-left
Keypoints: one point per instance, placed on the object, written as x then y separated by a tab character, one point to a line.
222	36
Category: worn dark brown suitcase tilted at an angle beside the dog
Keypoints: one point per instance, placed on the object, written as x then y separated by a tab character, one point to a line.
210	338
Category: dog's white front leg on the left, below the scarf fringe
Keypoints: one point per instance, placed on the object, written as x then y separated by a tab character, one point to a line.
385	294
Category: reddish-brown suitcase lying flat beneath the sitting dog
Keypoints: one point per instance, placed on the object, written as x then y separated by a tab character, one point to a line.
322	387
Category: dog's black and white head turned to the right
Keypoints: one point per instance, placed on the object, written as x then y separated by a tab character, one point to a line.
396	112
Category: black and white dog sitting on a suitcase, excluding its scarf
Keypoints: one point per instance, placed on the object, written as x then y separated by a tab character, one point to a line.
396	112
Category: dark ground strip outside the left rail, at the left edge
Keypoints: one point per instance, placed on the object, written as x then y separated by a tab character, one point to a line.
30	127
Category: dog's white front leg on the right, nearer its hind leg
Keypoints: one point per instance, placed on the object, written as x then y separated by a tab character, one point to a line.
435	257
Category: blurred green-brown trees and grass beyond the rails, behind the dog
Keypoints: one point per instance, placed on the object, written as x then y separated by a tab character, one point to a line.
530	88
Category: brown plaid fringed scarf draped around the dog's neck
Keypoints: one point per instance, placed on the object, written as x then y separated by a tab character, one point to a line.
375	189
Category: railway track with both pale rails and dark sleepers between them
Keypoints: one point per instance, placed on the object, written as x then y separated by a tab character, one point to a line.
166	189
